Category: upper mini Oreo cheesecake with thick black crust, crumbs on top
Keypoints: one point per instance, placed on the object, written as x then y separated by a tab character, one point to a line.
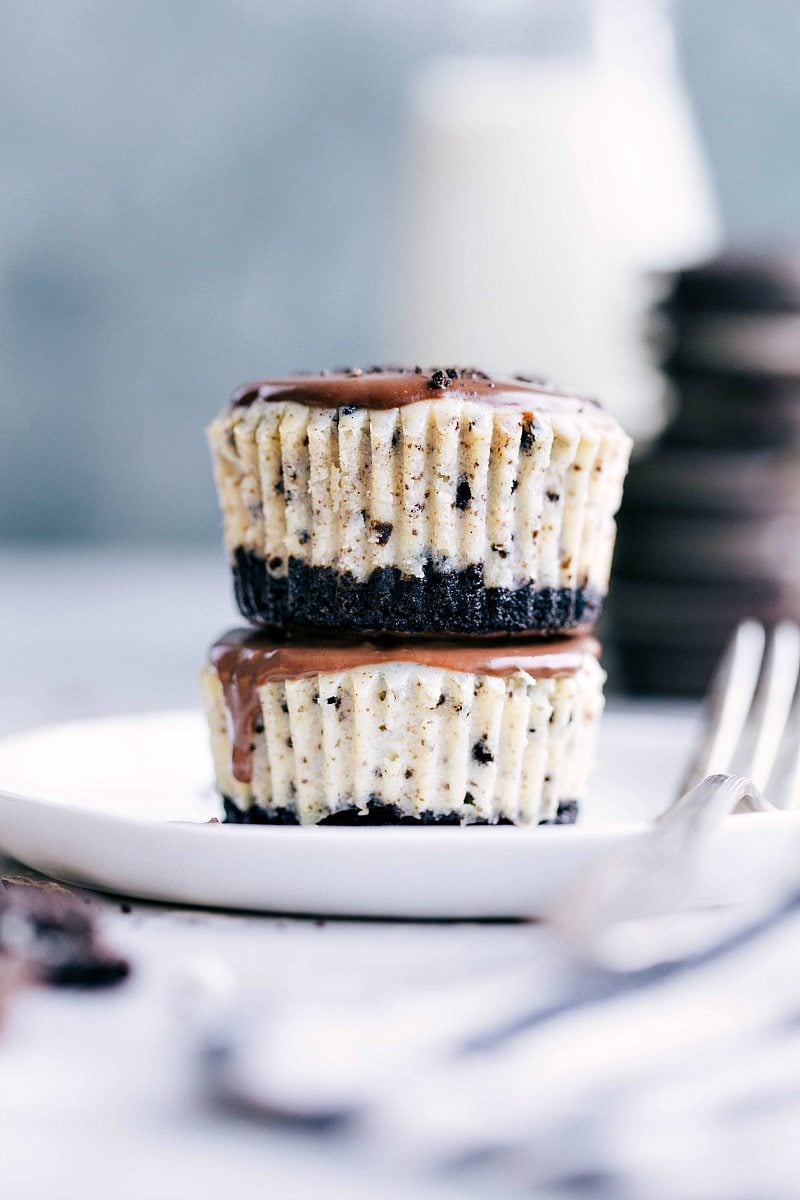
402	501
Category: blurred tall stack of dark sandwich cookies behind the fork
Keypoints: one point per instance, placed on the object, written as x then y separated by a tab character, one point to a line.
711	529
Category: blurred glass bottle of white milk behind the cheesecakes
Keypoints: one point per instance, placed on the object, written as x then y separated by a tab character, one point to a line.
538	194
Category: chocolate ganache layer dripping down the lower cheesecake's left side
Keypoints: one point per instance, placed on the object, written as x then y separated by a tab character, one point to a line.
246	659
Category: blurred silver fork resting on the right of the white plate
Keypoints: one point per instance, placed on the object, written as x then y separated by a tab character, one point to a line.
748	760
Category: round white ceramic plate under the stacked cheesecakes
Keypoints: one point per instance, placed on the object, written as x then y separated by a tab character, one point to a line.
122	805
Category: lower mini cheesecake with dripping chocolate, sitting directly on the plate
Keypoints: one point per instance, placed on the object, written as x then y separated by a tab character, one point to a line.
348	731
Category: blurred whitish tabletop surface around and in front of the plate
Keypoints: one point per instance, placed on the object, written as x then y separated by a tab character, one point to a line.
98	1093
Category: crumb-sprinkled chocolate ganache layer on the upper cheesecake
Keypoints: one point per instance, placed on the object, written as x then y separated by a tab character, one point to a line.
393	387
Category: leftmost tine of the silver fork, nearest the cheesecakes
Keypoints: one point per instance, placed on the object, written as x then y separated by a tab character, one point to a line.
730	700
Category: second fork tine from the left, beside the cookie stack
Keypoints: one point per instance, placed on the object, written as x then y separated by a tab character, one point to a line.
773	705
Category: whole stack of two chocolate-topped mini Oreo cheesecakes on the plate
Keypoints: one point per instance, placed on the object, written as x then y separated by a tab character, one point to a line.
422	556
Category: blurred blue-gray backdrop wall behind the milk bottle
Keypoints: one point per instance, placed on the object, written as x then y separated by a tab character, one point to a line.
195	195
